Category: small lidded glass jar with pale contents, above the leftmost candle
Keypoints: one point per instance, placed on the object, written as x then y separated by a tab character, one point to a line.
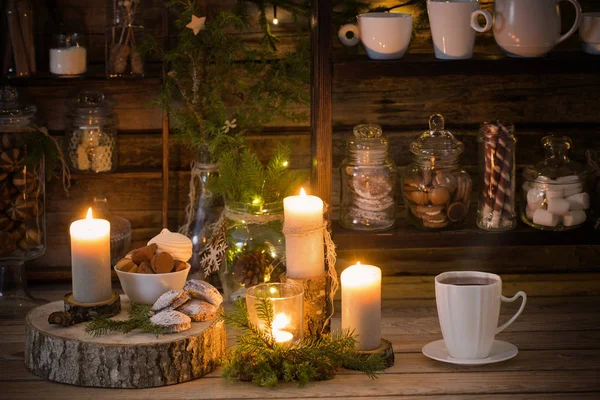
91	135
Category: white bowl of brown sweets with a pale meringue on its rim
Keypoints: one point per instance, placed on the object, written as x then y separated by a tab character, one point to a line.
148	272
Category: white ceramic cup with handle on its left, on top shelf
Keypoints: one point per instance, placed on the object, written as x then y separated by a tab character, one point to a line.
385	35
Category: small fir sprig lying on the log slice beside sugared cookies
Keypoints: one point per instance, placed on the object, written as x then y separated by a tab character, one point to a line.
138	319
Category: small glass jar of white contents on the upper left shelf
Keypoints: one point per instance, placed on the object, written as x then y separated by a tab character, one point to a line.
68	56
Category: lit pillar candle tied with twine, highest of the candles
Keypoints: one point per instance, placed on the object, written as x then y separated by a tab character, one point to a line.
305	254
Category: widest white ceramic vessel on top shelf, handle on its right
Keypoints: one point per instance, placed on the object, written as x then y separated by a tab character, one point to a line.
530	28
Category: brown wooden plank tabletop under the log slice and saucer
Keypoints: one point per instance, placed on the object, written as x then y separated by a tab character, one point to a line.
558	336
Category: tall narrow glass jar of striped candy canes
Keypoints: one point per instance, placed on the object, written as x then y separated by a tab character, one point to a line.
496	206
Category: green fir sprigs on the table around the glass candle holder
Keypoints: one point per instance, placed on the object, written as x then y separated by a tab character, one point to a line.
260	359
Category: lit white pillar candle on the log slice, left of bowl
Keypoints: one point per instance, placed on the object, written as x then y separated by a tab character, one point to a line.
90	259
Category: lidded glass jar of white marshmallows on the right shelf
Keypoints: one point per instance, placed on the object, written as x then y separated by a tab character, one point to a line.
555	196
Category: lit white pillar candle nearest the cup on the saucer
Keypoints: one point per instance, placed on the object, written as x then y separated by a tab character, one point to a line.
361	304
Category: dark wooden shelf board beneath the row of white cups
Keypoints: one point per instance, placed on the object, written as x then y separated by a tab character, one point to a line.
360	66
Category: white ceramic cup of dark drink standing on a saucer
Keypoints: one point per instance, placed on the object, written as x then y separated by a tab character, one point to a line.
469	311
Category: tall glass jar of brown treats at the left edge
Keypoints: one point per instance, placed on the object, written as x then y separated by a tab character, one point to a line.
22	216
